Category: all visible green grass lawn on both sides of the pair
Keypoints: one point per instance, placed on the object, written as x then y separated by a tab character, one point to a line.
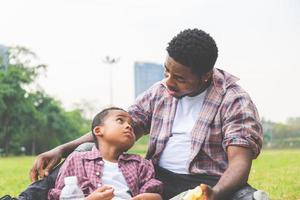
275	171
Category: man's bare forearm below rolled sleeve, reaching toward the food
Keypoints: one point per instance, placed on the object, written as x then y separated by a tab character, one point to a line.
236	175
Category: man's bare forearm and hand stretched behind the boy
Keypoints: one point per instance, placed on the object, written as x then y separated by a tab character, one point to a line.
46	161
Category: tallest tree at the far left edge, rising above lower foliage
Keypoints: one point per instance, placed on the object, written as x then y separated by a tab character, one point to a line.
15	107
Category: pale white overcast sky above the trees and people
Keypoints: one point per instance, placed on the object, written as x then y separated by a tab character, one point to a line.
258	41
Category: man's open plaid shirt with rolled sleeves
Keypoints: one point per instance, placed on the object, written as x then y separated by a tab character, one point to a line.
228	117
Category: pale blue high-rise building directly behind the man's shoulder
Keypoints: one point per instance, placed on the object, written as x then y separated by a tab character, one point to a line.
145	75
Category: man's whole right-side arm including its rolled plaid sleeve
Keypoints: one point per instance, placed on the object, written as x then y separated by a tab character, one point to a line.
242	140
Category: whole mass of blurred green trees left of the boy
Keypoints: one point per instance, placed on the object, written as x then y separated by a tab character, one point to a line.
30	120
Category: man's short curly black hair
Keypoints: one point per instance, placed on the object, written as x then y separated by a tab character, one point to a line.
195	49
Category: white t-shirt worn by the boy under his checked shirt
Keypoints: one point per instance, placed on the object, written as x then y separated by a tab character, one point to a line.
113	177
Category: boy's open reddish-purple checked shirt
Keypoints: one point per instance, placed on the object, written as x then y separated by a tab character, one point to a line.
88	166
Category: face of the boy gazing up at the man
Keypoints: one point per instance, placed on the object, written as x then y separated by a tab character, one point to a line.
117	129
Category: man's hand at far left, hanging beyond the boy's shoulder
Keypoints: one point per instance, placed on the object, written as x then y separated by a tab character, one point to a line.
44	163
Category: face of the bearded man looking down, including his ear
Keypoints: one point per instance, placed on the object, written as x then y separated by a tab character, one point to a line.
181	81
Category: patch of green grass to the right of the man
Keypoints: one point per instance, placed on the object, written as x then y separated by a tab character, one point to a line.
278	173
